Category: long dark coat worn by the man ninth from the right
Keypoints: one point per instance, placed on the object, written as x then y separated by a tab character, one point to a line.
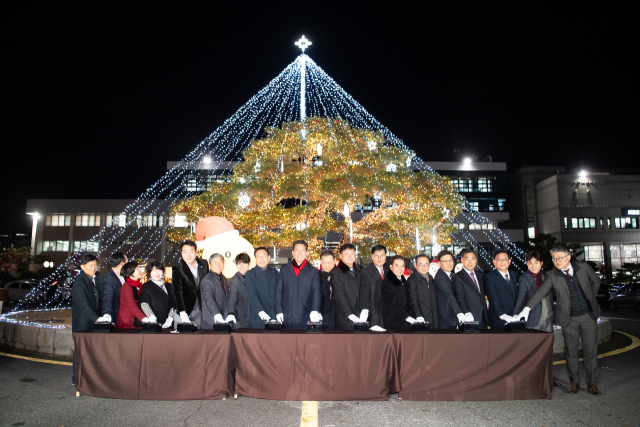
346	288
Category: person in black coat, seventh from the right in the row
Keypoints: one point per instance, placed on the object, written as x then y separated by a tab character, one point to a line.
394	295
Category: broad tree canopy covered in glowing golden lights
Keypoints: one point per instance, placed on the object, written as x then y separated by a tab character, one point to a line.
304	179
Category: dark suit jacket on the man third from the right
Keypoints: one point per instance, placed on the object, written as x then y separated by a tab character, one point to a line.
502	296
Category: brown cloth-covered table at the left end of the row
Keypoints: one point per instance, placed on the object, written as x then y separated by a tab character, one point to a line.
159	366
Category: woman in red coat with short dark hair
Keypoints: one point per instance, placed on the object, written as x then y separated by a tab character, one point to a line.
130	316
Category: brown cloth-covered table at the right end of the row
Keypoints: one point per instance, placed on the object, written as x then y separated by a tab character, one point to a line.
488	365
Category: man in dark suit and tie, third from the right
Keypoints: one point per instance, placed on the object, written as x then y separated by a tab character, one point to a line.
501	286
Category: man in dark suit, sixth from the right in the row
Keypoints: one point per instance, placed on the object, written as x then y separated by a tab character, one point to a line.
422	294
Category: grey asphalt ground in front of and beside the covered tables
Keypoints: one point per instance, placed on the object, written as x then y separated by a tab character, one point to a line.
39	394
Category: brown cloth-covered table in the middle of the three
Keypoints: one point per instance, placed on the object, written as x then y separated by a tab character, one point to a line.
334	365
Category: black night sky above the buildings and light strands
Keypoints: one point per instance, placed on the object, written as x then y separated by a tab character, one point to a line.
97	96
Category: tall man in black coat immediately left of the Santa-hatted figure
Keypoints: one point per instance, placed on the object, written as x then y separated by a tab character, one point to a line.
186	277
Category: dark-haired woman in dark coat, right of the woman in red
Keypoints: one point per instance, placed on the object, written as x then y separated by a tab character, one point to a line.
156	296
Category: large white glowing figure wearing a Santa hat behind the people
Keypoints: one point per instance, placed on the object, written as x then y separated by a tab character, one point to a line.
217	235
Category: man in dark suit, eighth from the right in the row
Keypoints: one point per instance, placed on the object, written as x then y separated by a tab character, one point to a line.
371	285
